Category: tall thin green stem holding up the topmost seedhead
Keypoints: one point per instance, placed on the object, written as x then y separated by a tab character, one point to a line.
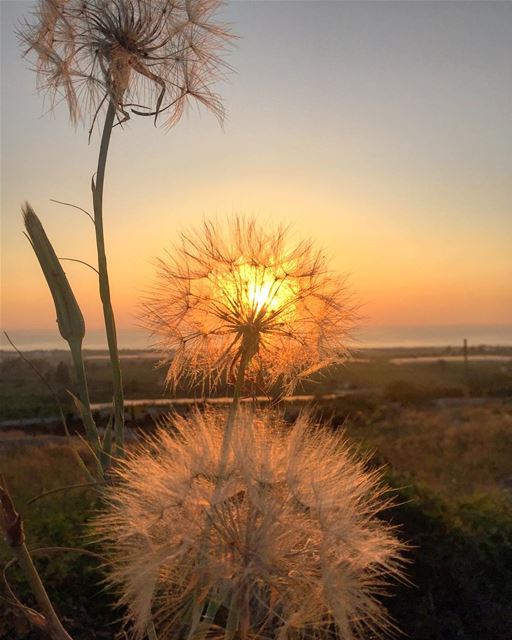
108	312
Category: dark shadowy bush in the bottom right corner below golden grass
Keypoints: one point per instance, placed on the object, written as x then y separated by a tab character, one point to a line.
461	567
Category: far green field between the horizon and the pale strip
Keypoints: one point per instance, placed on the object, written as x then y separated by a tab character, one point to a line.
23	394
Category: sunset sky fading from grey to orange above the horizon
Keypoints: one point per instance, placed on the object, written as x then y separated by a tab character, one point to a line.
383	130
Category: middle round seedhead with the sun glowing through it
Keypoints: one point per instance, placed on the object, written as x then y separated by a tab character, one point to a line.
242	295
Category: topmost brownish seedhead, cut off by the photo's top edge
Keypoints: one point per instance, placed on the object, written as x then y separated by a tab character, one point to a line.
145	56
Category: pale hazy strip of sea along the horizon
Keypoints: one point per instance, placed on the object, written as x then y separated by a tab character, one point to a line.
370	337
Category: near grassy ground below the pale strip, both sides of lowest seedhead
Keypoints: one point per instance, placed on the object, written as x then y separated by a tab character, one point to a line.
450	469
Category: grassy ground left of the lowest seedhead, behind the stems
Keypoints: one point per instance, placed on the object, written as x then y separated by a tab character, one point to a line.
59	520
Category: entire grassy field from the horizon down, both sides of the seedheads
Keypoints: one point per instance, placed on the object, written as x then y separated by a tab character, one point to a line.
448	462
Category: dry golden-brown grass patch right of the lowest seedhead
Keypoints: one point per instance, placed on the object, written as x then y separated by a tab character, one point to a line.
459	450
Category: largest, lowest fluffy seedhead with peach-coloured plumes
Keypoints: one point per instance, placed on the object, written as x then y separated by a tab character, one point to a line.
286	546
